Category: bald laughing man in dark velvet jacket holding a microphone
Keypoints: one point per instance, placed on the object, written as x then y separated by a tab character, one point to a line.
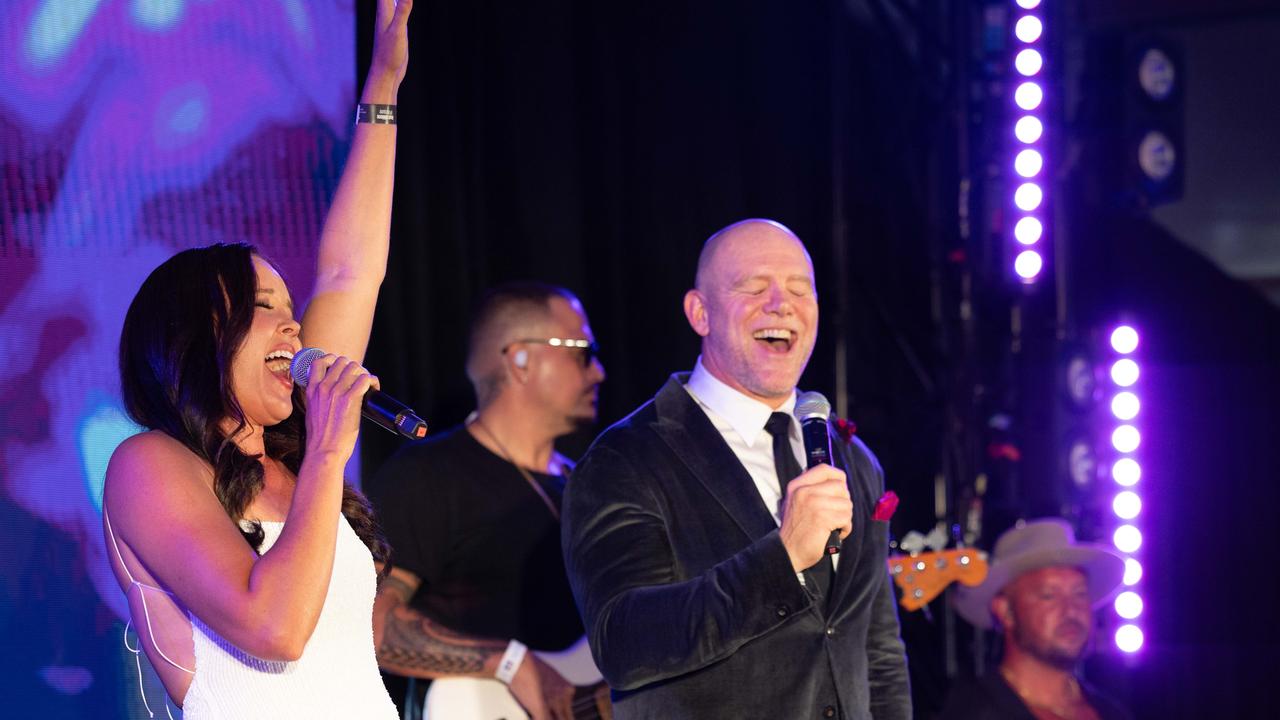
696	546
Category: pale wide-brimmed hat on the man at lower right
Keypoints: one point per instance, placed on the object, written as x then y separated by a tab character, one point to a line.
1031	546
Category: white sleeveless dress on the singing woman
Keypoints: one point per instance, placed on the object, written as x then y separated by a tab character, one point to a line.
337	676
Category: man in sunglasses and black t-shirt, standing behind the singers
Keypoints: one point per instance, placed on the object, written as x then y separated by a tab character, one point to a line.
473	514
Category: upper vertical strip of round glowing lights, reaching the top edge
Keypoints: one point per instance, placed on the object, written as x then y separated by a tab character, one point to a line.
1028	200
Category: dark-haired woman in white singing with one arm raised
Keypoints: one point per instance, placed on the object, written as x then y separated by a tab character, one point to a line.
248	564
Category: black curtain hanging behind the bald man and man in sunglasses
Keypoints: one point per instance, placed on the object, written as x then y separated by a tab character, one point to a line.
597	145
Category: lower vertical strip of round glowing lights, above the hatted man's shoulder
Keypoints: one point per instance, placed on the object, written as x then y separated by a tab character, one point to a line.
1127	472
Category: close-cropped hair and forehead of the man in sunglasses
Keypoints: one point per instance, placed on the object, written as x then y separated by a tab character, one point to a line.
506	315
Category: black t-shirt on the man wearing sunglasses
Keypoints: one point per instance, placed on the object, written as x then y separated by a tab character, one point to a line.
481	539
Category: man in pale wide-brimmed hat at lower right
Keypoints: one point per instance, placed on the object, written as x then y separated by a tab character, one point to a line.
1041	593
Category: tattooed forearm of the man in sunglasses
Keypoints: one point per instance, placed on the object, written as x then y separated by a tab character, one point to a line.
413	645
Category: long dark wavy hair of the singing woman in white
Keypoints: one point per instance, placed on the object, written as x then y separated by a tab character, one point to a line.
181	334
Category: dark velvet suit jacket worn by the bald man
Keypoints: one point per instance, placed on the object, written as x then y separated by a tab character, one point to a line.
689	598
